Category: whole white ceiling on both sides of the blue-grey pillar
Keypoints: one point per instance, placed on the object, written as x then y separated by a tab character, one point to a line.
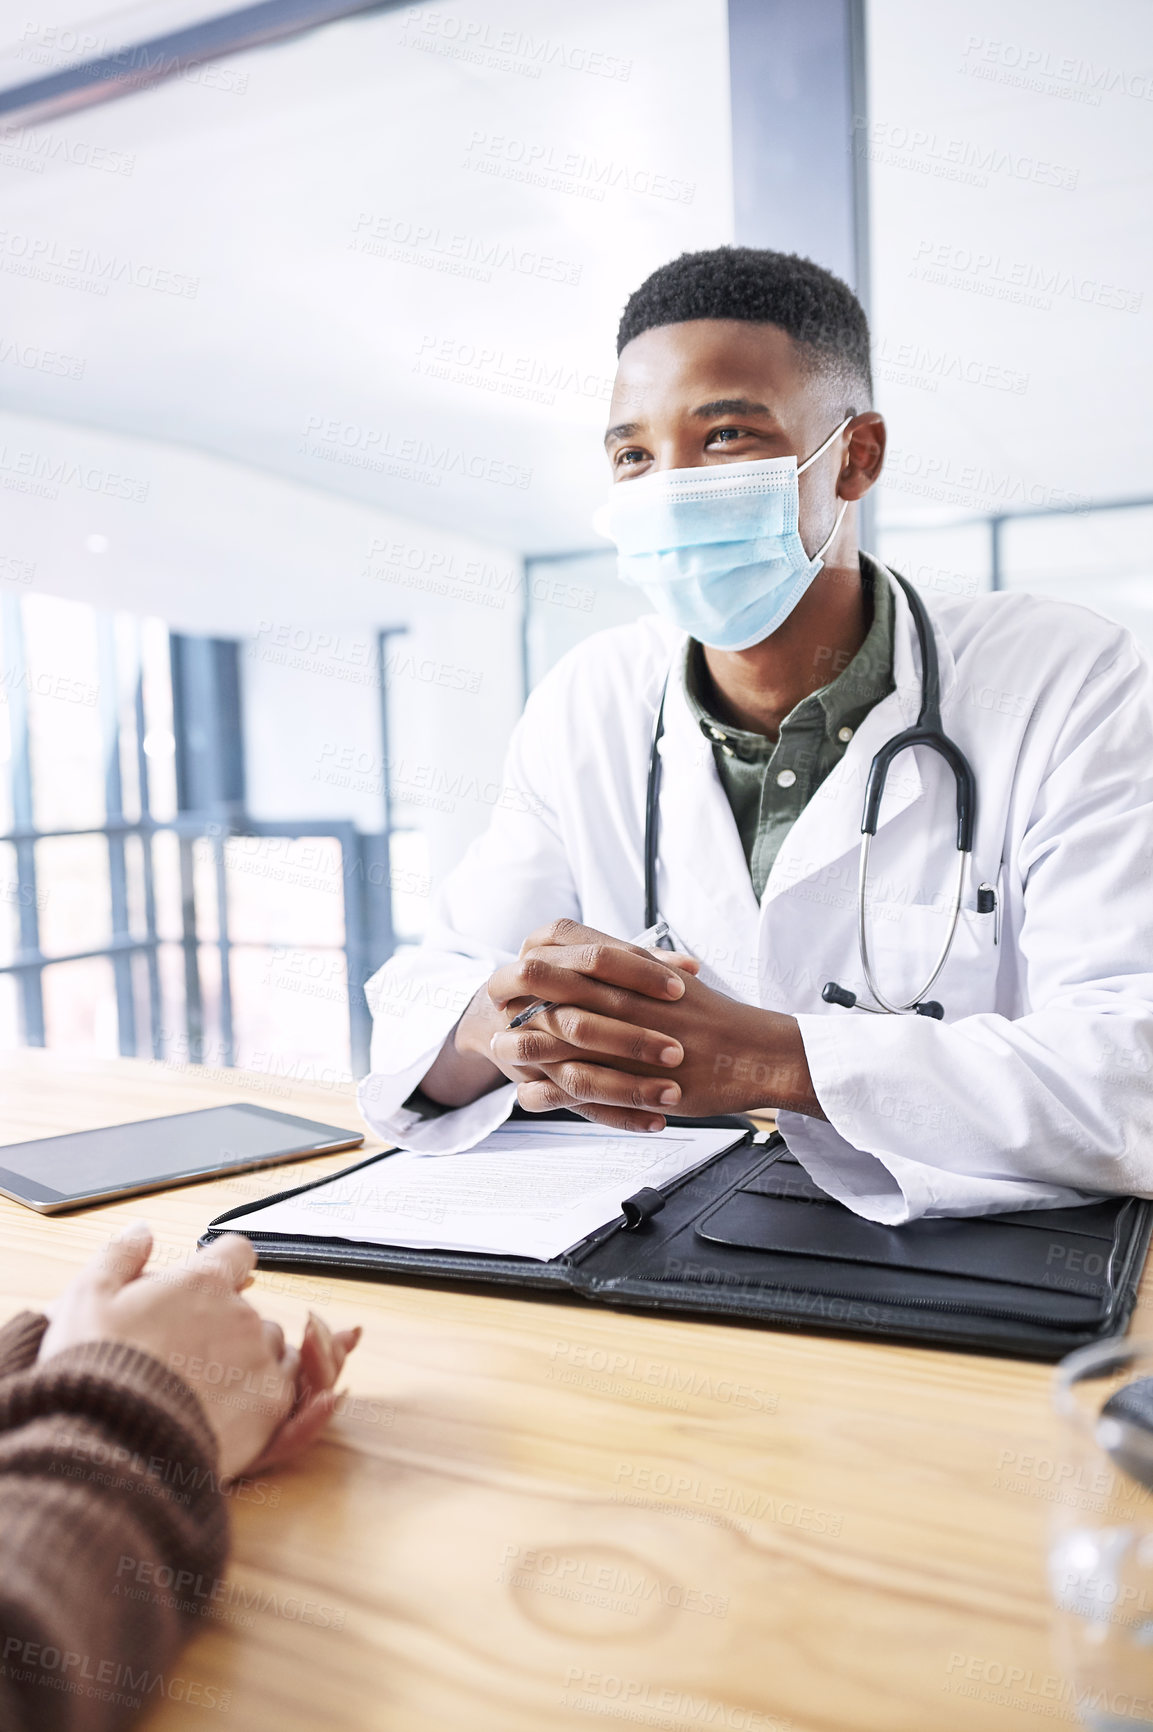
259	183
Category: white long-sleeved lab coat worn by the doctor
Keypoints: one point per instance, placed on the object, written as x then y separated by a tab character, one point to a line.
1036	1087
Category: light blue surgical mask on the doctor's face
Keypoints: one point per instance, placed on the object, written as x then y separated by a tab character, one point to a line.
716	550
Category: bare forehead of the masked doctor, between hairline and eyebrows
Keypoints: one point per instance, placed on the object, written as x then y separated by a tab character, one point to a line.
685	368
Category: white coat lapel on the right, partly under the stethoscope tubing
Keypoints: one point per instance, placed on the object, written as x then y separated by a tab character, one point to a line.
830	827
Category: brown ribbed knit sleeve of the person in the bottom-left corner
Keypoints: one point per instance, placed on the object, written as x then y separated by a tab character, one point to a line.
113	1534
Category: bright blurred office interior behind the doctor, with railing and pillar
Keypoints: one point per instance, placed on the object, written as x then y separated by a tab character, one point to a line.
307	323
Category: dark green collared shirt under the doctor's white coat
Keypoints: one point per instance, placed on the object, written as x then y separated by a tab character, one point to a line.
770	782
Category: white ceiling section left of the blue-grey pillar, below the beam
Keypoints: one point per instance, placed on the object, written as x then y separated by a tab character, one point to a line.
368	132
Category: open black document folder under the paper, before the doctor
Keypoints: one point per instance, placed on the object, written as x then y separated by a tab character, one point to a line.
752	1238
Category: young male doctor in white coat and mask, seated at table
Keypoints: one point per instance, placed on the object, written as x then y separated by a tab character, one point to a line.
776	664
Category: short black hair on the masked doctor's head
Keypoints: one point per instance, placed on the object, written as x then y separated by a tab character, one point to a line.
815	307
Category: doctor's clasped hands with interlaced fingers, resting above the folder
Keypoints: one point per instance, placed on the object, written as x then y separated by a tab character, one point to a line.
634	1035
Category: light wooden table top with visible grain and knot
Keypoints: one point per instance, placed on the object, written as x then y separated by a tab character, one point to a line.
546	1518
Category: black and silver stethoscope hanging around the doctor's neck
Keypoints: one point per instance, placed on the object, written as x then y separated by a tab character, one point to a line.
927	732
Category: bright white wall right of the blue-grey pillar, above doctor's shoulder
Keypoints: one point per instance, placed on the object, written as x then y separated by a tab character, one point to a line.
1010	153
